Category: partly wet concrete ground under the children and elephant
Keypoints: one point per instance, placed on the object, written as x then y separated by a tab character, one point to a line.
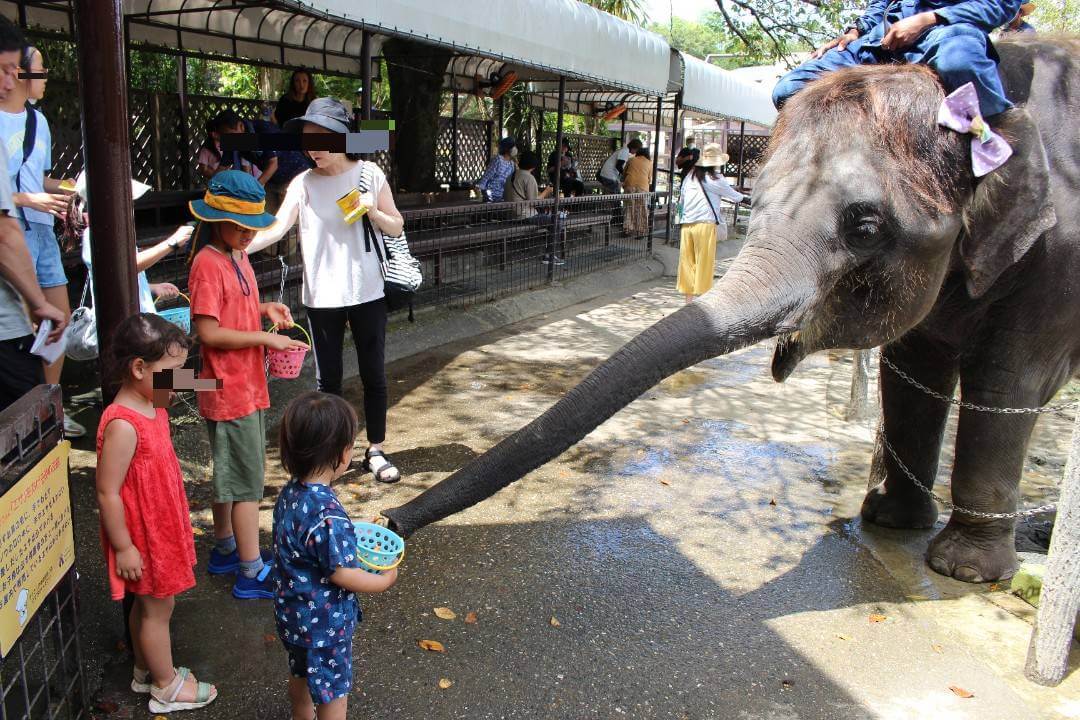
694	558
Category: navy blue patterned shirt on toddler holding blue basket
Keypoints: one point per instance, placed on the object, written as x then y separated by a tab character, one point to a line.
313	538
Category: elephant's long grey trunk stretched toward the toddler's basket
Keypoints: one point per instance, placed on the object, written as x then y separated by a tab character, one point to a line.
732	317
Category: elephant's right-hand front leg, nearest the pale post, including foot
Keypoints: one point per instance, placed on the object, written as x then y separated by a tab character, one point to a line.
990	460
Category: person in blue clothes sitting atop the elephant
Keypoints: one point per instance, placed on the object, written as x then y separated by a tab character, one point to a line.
950	36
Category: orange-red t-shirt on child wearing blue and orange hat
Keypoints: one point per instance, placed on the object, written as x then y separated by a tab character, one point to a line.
217	292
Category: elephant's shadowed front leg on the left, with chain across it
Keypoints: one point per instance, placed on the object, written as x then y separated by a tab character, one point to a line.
914	424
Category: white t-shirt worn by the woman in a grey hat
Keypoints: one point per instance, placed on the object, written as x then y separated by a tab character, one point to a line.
339	273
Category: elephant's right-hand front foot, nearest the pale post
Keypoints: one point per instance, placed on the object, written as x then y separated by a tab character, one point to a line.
975	553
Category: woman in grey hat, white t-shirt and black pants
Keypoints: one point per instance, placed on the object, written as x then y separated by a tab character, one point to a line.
343	283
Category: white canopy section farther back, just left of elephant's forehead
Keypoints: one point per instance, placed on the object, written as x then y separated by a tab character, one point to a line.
718	93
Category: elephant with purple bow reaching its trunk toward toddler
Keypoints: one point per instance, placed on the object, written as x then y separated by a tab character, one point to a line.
869	229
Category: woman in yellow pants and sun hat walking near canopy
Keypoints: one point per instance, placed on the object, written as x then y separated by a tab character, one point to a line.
699	214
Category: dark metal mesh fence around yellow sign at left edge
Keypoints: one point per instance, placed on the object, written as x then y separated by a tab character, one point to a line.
42	678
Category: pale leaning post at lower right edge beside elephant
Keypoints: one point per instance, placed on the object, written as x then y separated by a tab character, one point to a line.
1048	656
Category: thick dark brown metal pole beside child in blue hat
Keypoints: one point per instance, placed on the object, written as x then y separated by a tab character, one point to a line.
107	146
